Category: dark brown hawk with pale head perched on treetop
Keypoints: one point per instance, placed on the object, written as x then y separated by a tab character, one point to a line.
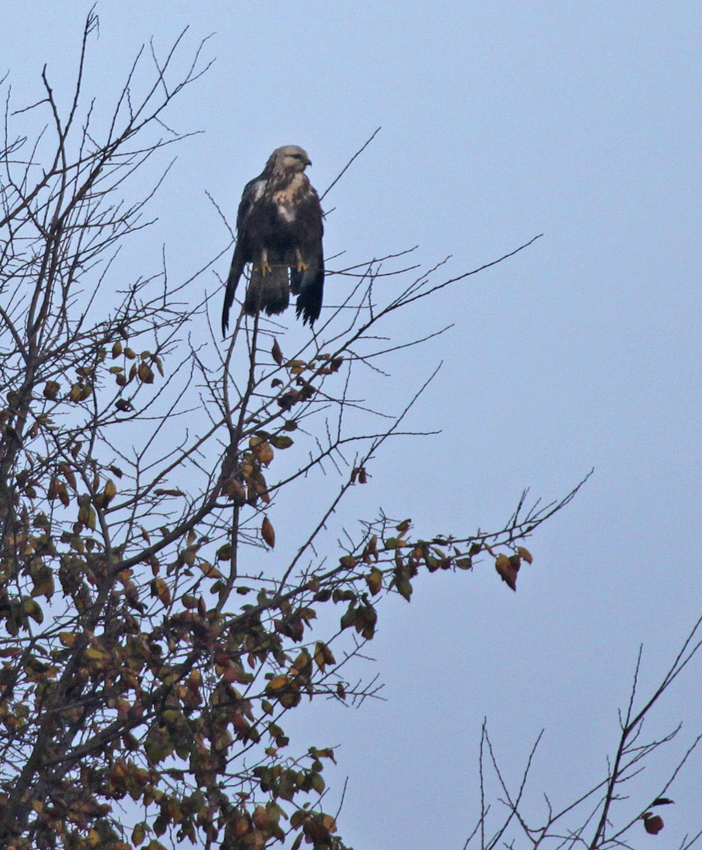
279	227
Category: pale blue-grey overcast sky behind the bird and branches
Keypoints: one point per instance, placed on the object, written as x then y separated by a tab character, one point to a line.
500	121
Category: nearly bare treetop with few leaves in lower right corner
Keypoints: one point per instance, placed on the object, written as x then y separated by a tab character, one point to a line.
609	814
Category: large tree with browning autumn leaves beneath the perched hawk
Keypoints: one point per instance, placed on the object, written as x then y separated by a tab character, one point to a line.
150	652
